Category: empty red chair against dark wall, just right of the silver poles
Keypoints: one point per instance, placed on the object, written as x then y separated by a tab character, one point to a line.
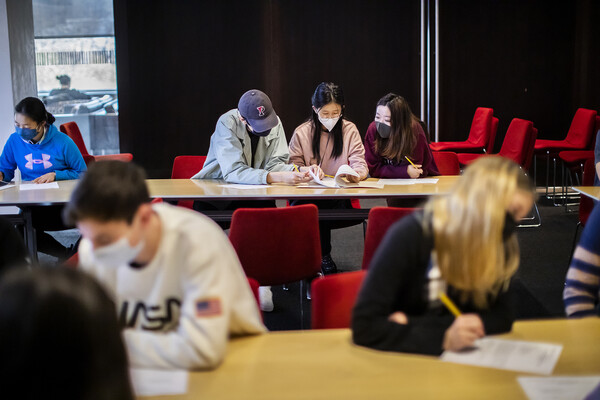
479	135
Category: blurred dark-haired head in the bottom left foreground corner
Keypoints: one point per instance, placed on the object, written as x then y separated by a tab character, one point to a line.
59	337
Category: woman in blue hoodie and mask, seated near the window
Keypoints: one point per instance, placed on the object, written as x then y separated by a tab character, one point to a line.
43	154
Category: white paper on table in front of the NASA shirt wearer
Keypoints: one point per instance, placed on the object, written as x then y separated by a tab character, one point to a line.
149	382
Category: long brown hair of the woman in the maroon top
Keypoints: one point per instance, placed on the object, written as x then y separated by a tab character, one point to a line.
403	138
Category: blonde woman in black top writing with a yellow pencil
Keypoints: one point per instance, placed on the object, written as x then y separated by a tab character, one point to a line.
462	244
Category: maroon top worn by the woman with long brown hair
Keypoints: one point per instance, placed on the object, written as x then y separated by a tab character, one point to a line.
381	167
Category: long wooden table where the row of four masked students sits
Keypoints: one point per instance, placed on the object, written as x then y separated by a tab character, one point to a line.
211	190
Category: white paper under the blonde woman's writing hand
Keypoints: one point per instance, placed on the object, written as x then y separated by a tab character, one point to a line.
514	355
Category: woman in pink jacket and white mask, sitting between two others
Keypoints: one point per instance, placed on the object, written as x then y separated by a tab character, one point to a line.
328	140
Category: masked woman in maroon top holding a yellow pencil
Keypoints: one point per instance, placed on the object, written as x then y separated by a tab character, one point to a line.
396	134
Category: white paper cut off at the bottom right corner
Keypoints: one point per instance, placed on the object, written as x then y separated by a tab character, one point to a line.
558	387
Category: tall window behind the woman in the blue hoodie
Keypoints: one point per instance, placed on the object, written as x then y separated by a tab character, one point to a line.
76	67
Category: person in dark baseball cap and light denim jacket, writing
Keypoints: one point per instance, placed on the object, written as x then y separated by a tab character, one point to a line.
249	146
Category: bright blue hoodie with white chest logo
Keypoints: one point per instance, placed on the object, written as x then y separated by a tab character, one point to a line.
56	153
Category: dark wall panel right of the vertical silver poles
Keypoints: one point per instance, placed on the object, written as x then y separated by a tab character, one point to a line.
526	59
